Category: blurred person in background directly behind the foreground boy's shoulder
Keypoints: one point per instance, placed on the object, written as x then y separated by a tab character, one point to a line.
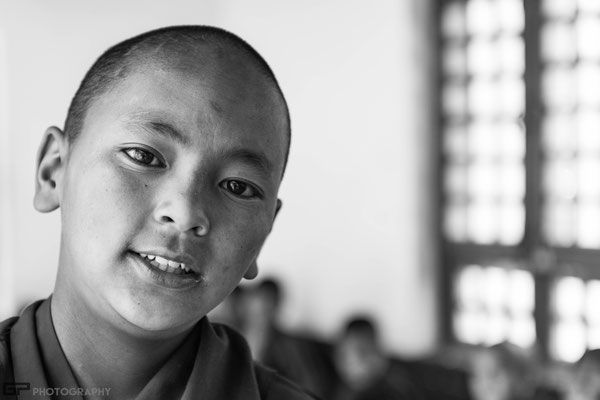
301	358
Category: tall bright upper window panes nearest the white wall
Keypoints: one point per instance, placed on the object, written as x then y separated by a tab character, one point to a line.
483	104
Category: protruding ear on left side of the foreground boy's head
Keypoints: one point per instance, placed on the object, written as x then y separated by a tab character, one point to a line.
51	160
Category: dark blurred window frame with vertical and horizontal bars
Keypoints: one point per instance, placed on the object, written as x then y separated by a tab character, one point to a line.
545	262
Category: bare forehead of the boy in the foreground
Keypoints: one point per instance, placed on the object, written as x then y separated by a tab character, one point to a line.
212	99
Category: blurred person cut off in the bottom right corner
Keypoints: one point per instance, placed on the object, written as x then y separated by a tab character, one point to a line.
585	384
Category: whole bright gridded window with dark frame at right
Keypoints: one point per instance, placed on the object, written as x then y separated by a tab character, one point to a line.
520	189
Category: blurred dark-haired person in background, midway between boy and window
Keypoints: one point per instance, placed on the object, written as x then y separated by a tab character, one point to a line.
365	371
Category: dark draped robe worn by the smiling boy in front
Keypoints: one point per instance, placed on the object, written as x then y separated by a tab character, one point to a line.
222	369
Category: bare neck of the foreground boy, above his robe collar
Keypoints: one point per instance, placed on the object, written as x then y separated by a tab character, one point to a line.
102	356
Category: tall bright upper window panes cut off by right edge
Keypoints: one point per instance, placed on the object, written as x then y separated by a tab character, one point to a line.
571	117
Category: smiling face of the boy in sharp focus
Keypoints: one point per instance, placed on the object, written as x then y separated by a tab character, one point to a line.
176	163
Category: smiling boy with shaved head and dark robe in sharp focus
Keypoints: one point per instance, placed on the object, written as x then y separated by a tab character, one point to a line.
166	175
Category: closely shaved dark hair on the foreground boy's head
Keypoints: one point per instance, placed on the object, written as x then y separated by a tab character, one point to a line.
192	48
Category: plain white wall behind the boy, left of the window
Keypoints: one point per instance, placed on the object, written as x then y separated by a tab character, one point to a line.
355	232
